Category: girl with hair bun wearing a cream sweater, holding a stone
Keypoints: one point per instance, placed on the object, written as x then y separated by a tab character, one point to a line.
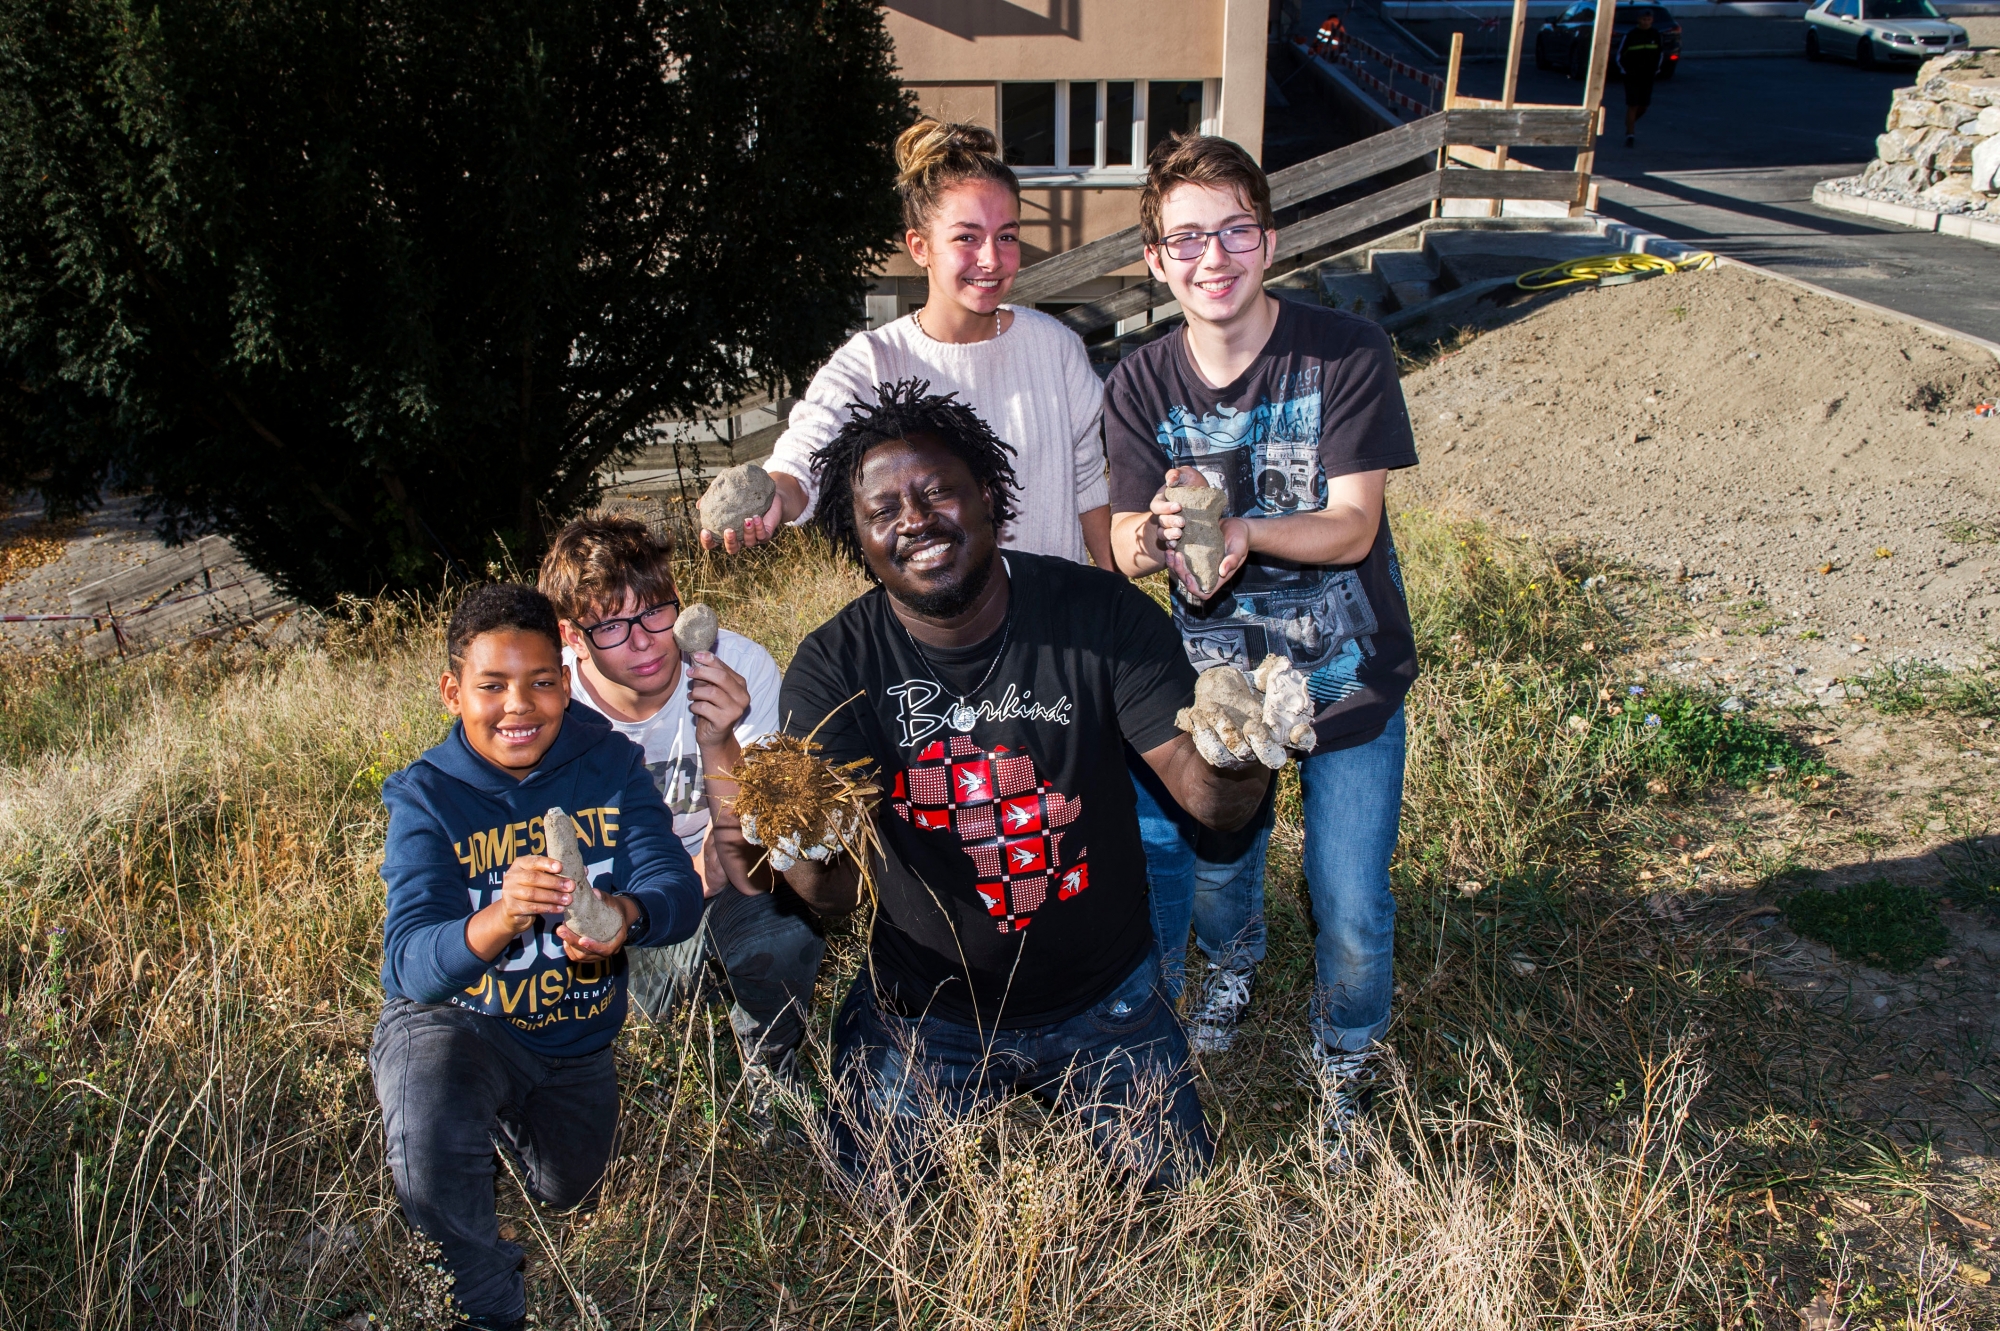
1021	371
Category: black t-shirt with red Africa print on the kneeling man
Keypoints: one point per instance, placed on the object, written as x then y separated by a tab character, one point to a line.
1015	888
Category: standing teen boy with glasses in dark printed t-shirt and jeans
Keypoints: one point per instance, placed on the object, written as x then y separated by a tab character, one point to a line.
1297	415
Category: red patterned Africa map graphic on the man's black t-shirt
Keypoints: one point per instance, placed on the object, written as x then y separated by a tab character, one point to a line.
1007	818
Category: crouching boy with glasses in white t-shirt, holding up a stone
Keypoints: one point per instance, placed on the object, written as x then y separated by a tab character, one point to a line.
613	587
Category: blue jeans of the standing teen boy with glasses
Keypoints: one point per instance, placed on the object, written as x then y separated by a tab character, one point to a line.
1215	882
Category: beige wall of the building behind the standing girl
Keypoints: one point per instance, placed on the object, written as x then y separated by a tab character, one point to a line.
957	53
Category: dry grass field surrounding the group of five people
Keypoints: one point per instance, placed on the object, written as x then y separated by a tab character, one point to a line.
1603	1118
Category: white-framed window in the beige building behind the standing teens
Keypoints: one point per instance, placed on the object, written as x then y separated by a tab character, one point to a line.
1075	127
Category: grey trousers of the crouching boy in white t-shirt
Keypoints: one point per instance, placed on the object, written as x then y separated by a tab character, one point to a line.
769	952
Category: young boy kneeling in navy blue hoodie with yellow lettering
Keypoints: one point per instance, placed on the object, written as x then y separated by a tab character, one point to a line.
499	1020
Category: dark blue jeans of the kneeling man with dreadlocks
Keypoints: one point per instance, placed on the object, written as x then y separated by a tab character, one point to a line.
1119	1068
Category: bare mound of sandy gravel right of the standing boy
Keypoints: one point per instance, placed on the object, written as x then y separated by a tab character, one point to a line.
1799	471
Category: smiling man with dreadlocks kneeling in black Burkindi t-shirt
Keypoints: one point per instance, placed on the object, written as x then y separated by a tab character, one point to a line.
995	694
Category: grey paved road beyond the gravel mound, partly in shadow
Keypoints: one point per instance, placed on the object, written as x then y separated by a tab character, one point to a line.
1729	155
